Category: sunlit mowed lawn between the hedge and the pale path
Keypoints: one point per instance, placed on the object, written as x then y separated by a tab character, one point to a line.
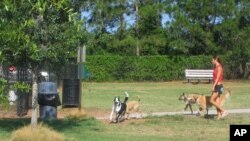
160	97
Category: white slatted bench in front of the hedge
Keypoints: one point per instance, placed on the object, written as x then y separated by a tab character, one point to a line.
199	74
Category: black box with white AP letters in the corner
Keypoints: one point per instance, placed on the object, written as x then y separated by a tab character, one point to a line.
239	132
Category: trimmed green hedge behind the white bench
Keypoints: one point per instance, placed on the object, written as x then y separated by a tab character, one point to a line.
145	68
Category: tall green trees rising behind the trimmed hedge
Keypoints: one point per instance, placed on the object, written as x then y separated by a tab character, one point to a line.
171	28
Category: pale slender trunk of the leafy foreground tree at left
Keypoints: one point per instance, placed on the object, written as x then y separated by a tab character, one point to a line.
34	100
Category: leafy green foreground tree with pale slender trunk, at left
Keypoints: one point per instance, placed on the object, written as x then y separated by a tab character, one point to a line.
39	33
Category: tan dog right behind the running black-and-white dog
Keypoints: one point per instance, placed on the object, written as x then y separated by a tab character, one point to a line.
133	106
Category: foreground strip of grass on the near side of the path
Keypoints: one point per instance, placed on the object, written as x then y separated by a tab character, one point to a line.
174	128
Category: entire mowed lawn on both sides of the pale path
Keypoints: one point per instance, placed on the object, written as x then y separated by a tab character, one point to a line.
155	97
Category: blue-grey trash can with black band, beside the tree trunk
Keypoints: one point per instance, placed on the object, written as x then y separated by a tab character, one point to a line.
48	100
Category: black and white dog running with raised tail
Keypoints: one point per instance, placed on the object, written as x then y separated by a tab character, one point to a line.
119	108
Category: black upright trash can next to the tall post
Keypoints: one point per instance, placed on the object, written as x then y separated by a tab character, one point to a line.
70	95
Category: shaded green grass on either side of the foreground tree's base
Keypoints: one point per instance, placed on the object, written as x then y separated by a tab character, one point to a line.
61	125
